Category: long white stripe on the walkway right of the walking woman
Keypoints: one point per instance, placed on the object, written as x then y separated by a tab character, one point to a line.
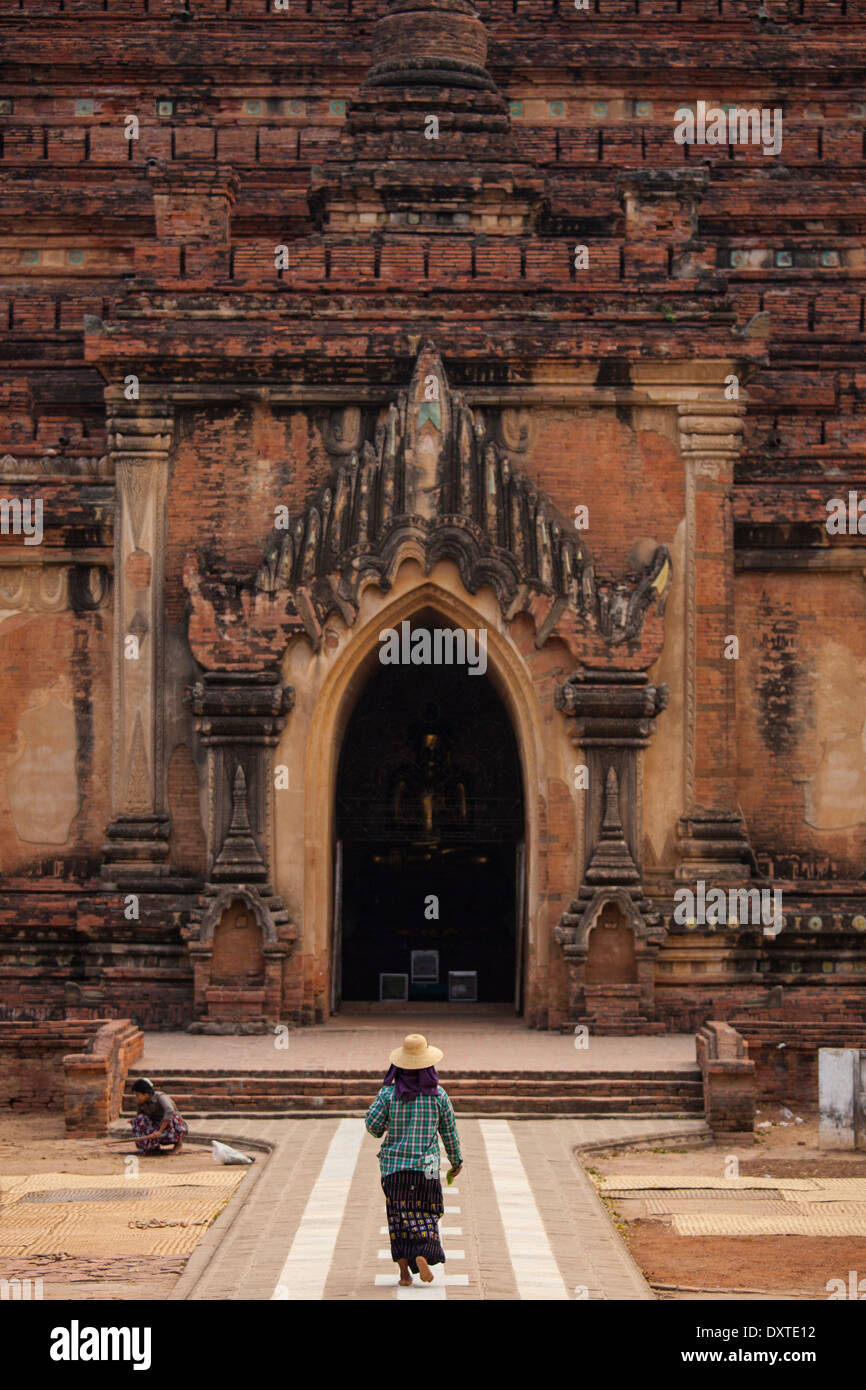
536	1270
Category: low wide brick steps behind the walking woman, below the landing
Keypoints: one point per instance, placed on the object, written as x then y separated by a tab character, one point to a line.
516	1093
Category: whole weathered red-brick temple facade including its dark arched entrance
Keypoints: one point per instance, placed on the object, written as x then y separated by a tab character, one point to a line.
340	318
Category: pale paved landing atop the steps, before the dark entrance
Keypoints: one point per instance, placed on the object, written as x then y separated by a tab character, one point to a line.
479	1045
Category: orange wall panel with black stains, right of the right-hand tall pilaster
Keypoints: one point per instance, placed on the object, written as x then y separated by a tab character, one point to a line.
801	715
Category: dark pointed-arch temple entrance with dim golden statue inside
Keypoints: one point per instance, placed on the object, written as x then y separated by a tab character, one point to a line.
430	829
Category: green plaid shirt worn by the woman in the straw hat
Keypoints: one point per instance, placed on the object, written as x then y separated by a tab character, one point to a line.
414	1132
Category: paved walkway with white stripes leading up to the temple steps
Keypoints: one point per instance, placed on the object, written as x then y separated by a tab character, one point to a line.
522	1223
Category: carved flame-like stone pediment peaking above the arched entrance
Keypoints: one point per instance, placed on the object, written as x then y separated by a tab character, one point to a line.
430	482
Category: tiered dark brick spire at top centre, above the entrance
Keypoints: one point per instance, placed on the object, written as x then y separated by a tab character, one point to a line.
429	141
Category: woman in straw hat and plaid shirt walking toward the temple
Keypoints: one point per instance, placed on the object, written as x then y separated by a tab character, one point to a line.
414	1110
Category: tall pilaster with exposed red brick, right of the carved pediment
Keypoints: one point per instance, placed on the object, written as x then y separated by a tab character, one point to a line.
714	843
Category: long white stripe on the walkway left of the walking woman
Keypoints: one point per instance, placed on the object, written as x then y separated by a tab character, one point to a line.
309	1260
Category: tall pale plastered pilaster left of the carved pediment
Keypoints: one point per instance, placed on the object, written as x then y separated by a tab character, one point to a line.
140	440
